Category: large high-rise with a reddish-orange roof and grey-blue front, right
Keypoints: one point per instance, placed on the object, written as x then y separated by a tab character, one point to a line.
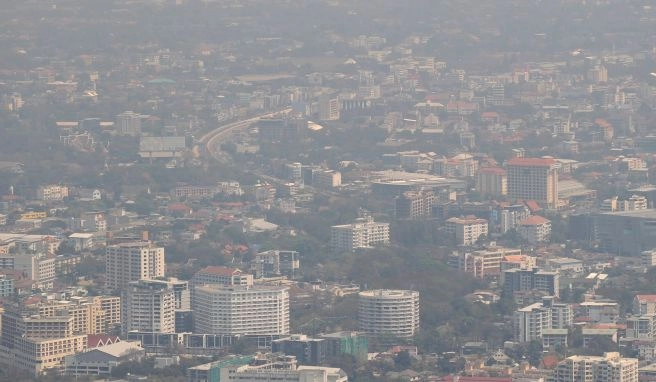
533	178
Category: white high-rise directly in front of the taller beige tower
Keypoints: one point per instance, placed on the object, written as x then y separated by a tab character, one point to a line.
148	306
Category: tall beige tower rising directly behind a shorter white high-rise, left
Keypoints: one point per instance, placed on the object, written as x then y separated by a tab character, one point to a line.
133	261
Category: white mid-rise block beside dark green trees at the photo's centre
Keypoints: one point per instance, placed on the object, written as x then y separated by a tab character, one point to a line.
364	233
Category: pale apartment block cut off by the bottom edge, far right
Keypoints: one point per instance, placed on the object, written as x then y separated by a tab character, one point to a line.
611	367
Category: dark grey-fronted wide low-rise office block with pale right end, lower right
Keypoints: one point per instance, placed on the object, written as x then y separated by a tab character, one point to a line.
531	280
